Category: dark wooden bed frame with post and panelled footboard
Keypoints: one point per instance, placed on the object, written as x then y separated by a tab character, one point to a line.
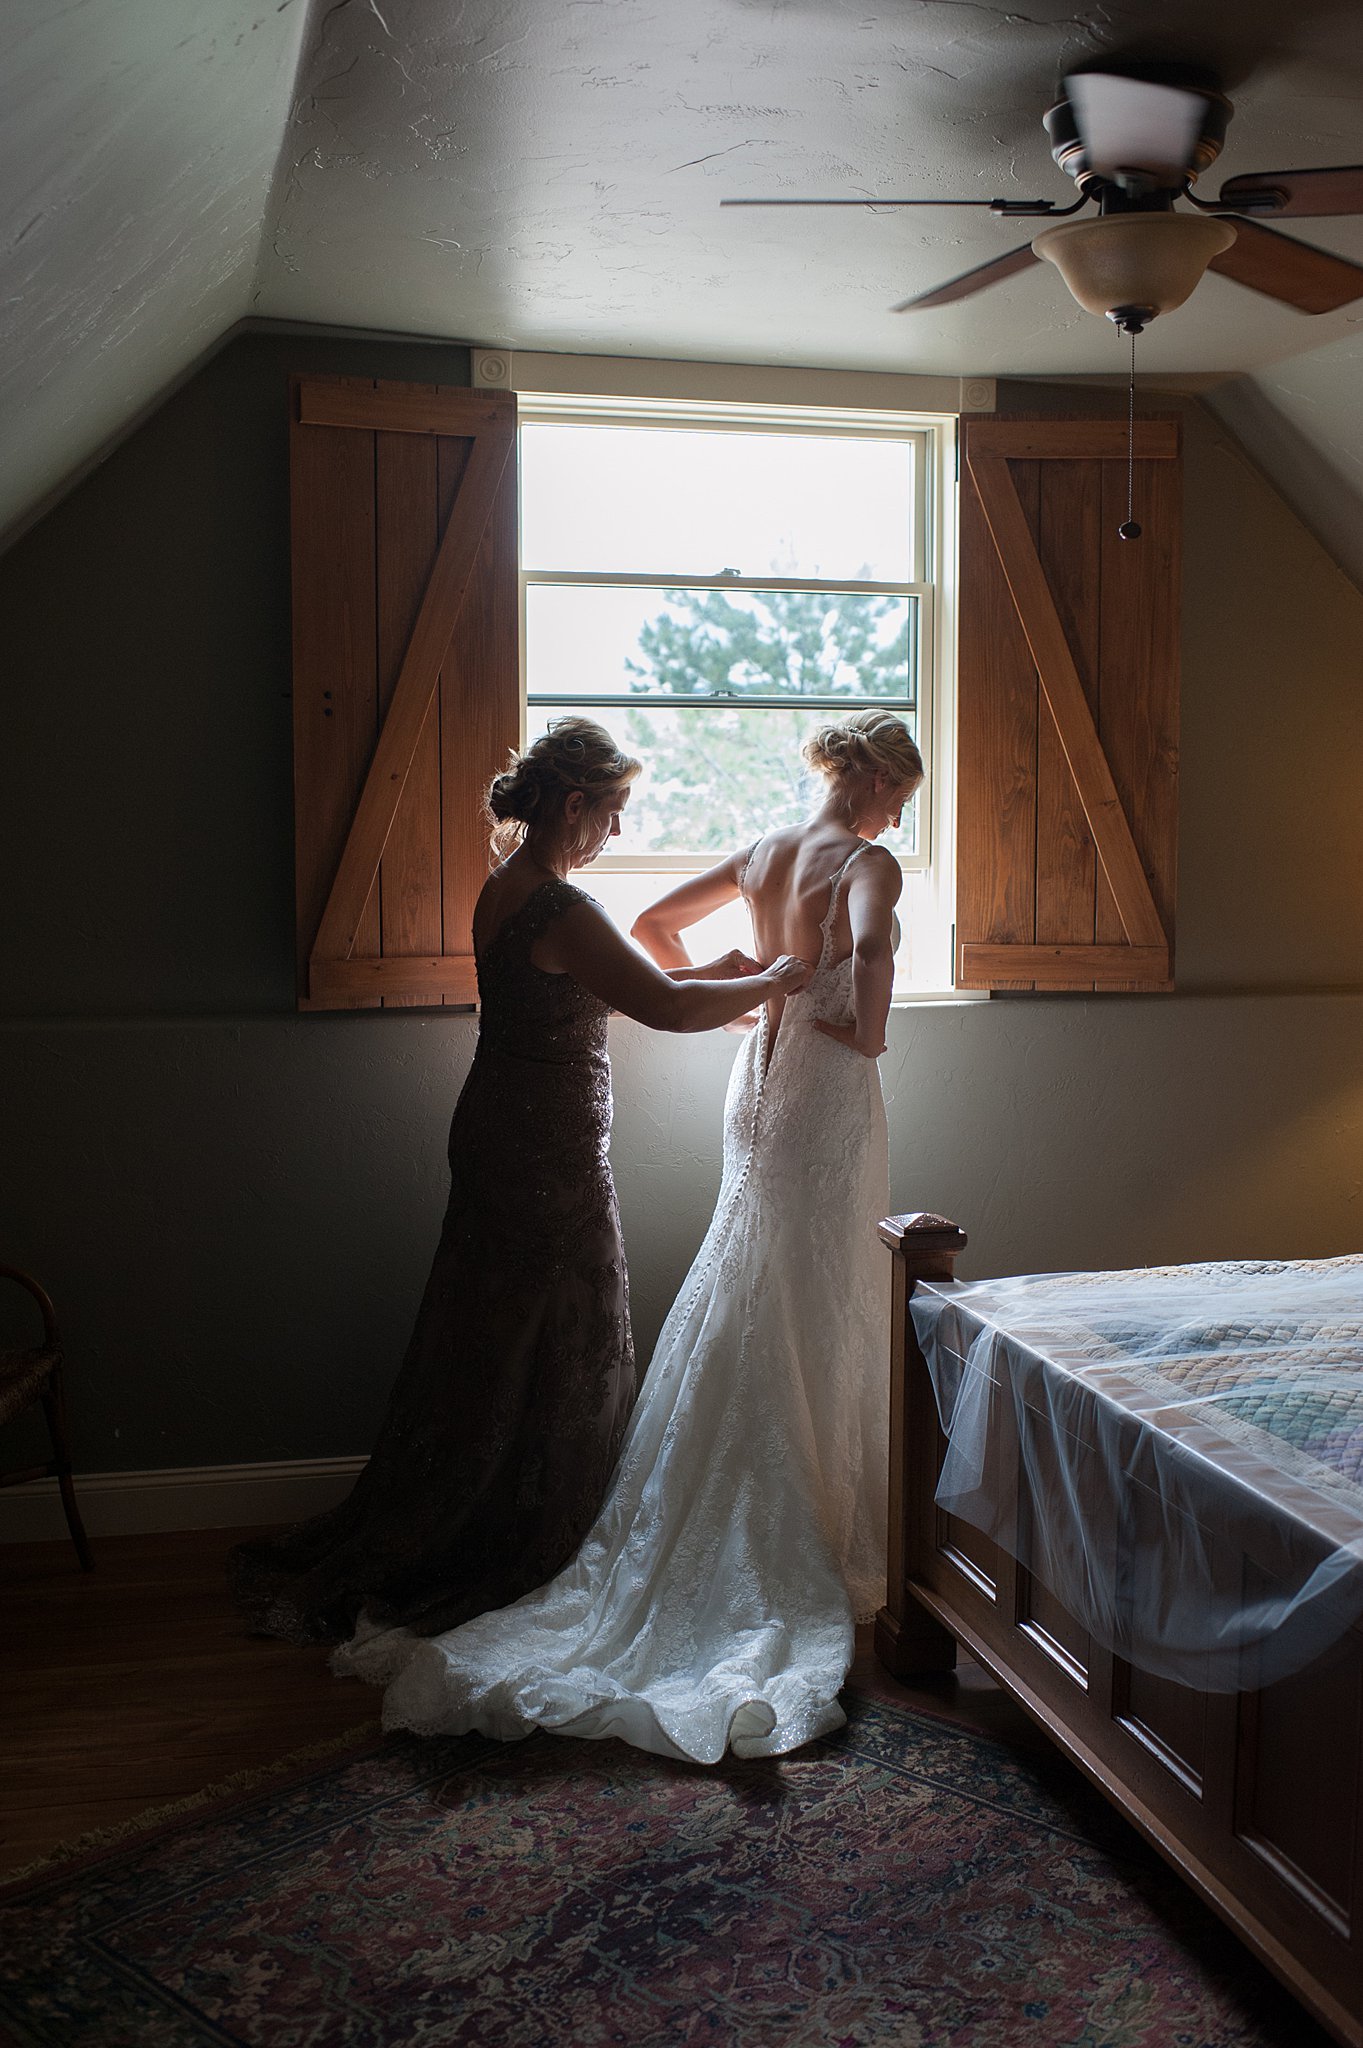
1256	1797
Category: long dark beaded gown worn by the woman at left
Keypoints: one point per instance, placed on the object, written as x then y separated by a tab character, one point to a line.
509	1412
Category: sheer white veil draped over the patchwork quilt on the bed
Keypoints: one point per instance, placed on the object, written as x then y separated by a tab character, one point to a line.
1202	1408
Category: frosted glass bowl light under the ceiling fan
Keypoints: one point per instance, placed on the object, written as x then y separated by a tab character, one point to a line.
1149	261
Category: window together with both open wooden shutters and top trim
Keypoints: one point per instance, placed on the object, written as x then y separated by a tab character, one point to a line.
711	615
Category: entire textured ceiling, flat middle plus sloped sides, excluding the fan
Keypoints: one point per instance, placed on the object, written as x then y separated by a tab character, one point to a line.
547	175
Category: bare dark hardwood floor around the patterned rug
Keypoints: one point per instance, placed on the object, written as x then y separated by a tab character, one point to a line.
136	1684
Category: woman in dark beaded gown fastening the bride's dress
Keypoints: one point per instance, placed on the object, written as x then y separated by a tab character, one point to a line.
507	1418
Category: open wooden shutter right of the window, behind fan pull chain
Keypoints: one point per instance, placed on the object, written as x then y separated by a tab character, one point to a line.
1069	708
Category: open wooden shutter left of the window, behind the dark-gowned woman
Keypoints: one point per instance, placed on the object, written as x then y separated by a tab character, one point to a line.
406	679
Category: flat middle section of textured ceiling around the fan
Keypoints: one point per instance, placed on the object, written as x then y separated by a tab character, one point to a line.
549	177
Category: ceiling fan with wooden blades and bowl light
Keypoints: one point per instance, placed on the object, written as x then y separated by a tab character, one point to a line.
1135	138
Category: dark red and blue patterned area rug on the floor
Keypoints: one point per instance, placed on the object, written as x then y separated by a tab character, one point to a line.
904	1883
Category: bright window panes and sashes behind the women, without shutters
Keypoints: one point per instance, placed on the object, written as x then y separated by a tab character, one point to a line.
711	587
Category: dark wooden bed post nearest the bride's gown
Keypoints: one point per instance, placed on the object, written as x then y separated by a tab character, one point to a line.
908	1639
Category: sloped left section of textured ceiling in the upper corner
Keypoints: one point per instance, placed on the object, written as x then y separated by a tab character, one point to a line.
138	142
